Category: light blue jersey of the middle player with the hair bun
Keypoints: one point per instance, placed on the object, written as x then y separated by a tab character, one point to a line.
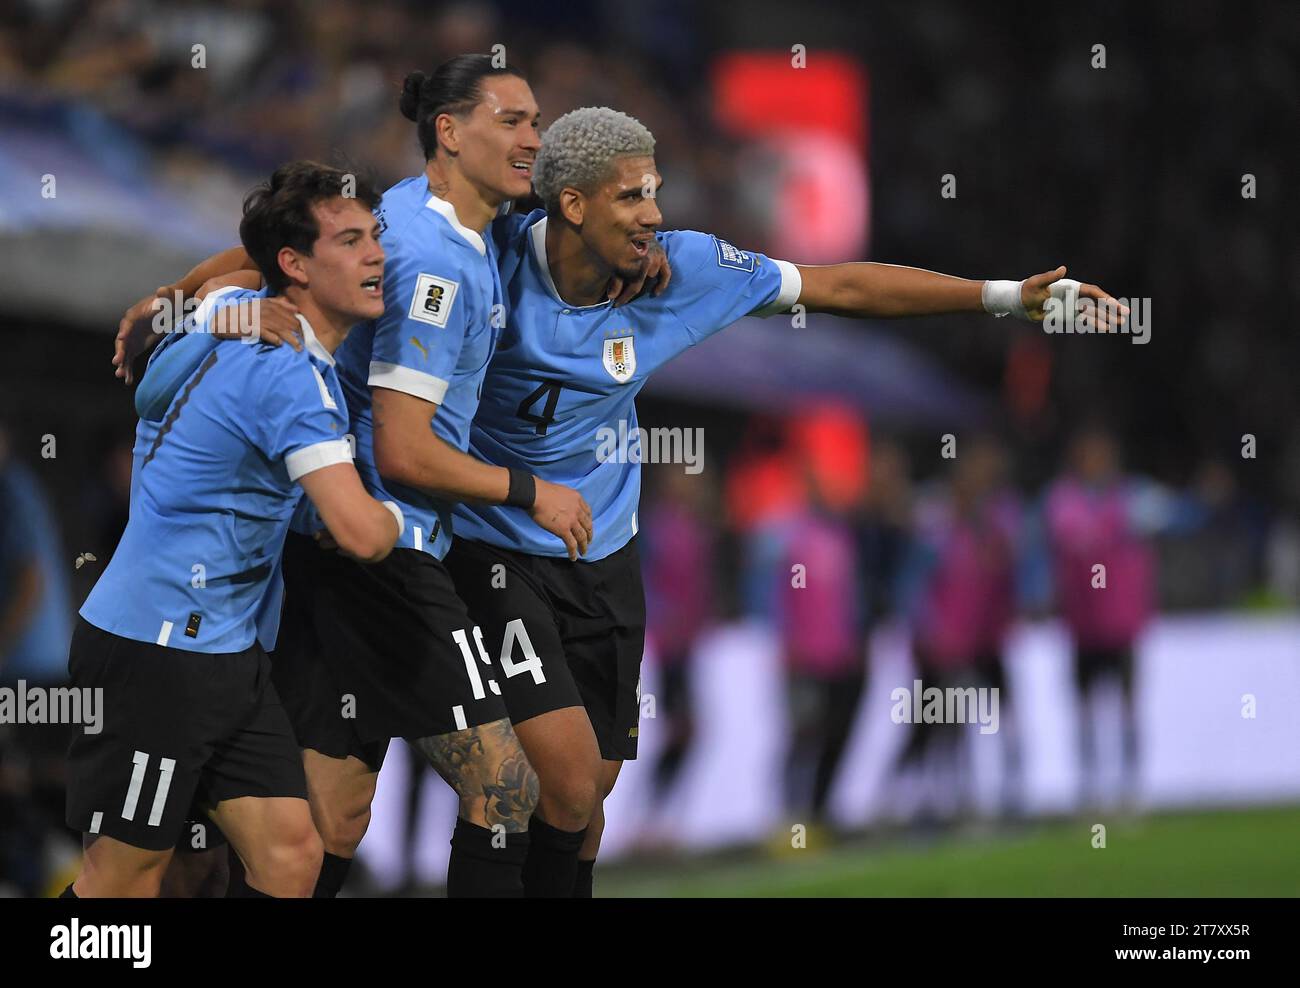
443	313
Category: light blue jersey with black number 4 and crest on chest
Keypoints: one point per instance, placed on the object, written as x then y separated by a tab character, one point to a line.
560	396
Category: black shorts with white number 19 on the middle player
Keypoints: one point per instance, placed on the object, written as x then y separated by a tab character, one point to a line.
374	652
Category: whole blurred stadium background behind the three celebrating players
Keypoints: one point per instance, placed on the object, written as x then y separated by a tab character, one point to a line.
770	761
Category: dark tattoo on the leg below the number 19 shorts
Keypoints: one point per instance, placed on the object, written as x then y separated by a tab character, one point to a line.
488	770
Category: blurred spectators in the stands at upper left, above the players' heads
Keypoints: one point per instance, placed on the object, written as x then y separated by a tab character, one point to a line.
322	80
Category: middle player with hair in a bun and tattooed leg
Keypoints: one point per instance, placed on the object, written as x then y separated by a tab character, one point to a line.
369	655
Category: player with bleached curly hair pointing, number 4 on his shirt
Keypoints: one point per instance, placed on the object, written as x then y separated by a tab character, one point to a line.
561	385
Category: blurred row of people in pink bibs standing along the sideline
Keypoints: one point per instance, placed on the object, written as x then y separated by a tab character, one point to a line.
825	534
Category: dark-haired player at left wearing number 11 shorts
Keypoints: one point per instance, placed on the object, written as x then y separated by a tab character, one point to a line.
171	630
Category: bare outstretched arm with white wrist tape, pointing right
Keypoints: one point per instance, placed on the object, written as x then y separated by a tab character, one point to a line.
870	291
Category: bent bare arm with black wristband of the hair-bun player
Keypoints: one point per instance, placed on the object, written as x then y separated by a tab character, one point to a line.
408	452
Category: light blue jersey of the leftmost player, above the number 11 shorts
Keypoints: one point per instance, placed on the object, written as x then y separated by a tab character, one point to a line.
214	488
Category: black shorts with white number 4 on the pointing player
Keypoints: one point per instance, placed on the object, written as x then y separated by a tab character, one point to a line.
575	634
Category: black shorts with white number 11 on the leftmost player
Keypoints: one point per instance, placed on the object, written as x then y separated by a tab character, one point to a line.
183	731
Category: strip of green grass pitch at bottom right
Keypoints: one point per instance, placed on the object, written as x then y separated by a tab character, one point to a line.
1220	853
